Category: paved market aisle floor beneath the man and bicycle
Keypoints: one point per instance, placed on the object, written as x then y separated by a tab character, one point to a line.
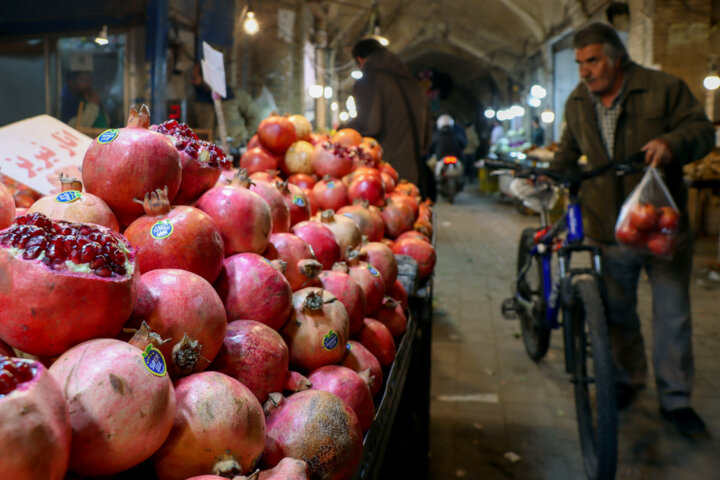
520	420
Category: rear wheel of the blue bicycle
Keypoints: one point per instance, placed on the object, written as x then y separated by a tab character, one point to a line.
536	335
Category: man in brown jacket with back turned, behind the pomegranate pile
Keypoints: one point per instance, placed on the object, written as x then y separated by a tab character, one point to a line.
392	108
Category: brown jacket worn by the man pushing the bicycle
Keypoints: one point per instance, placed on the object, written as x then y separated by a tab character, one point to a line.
654	104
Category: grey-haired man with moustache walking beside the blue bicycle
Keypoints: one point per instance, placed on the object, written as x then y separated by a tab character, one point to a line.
637	109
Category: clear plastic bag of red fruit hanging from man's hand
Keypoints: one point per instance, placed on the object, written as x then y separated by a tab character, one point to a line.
649	217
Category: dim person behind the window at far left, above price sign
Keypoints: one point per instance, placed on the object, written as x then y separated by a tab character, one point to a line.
80	104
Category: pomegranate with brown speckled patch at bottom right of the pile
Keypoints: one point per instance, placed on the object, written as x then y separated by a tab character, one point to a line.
316	427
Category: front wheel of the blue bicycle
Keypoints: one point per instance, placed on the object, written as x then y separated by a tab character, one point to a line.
593	378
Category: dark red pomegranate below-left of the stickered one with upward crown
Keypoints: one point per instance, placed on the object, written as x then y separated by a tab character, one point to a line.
256	355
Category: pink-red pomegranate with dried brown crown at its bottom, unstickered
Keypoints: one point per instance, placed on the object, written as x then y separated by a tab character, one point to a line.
175	303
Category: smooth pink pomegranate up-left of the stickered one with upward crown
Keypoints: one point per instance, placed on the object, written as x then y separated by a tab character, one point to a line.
251	288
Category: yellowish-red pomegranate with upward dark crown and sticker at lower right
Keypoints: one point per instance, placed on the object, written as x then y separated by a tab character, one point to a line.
317	331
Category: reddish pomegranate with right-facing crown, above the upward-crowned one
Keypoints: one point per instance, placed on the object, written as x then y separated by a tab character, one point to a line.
302	268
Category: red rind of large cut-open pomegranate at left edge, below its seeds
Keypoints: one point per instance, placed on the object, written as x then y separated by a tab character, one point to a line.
45	312
